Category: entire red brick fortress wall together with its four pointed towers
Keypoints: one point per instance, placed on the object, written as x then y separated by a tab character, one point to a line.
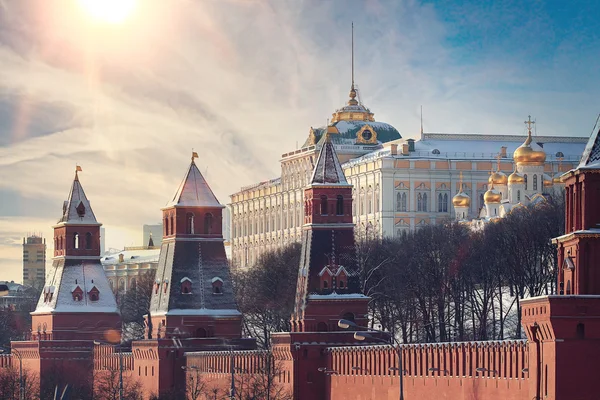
194	329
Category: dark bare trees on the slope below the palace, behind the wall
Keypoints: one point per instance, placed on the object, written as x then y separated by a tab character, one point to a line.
444	282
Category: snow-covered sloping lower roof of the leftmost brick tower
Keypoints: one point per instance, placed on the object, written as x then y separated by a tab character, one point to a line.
87	276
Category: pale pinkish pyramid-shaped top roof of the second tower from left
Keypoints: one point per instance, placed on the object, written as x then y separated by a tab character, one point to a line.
194	191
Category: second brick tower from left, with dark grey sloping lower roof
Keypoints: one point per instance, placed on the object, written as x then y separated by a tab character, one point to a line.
193	294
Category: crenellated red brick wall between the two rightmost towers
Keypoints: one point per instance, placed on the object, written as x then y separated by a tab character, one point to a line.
469	370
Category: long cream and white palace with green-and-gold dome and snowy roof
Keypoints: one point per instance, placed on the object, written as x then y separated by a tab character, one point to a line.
398	184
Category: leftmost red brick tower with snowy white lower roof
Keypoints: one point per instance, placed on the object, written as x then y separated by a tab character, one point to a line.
76	301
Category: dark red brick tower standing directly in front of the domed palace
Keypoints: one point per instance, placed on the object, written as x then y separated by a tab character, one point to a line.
328	287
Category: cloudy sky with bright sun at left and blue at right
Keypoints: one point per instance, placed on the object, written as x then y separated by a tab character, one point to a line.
242	81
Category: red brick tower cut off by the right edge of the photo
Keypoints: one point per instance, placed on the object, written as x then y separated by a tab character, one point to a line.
564	329
